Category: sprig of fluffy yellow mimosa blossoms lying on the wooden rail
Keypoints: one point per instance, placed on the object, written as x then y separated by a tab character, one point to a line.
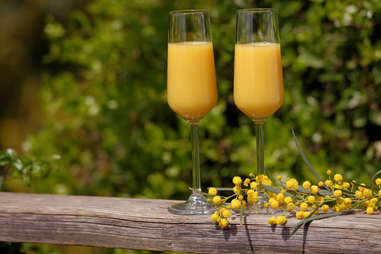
307	201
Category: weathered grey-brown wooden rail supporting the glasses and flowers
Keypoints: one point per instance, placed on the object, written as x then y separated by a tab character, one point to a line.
146	224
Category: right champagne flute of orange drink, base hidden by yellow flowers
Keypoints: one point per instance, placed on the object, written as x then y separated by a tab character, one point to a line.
258	80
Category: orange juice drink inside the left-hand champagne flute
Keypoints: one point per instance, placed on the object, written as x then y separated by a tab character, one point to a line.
191	79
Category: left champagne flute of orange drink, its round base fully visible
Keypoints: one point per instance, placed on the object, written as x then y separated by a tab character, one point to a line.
191	87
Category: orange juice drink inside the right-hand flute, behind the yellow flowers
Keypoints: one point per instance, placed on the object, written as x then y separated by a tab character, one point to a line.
258	80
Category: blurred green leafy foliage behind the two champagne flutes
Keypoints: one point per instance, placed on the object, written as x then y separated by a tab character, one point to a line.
109	131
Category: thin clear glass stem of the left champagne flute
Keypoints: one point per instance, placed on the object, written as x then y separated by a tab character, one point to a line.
195	159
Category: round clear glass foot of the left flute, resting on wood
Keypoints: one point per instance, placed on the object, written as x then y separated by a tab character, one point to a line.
195	205
